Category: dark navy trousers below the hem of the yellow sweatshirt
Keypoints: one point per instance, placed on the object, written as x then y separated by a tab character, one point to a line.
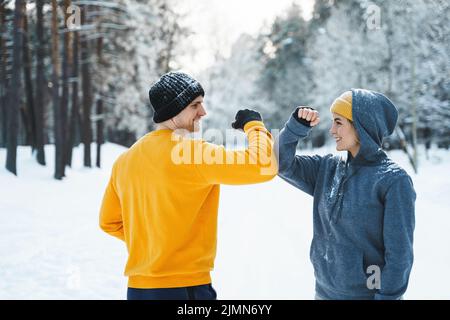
203	292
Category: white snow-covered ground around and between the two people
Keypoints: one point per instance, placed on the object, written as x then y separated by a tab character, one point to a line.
52	248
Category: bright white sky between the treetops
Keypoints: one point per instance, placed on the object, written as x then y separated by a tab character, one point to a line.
218	23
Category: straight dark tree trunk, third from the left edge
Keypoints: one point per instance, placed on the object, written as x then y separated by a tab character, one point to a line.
40	83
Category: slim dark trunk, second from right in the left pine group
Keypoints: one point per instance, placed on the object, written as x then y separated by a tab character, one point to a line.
87	95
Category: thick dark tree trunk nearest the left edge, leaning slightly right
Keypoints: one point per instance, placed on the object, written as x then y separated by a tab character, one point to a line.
14	93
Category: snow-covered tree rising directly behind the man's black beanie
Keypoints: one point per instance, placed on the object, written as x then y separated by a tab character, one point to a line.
137	57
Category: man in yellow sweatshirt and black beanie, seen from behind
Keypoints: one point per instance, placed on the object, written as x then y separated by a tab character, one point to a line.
163	195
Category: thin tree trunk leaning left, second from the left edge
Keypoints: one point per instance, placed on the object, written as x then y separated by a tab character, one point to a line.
30	110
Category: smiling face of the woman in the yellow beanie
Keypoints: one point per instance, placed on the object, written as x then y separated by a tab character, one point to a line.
344	134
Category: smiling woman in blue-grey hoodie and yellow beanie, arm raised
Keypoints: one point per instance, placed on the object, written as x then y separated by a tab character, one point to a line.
363	208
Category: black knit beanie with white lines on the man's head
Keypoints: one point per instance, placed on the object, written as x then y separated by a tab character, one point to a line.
173	92
